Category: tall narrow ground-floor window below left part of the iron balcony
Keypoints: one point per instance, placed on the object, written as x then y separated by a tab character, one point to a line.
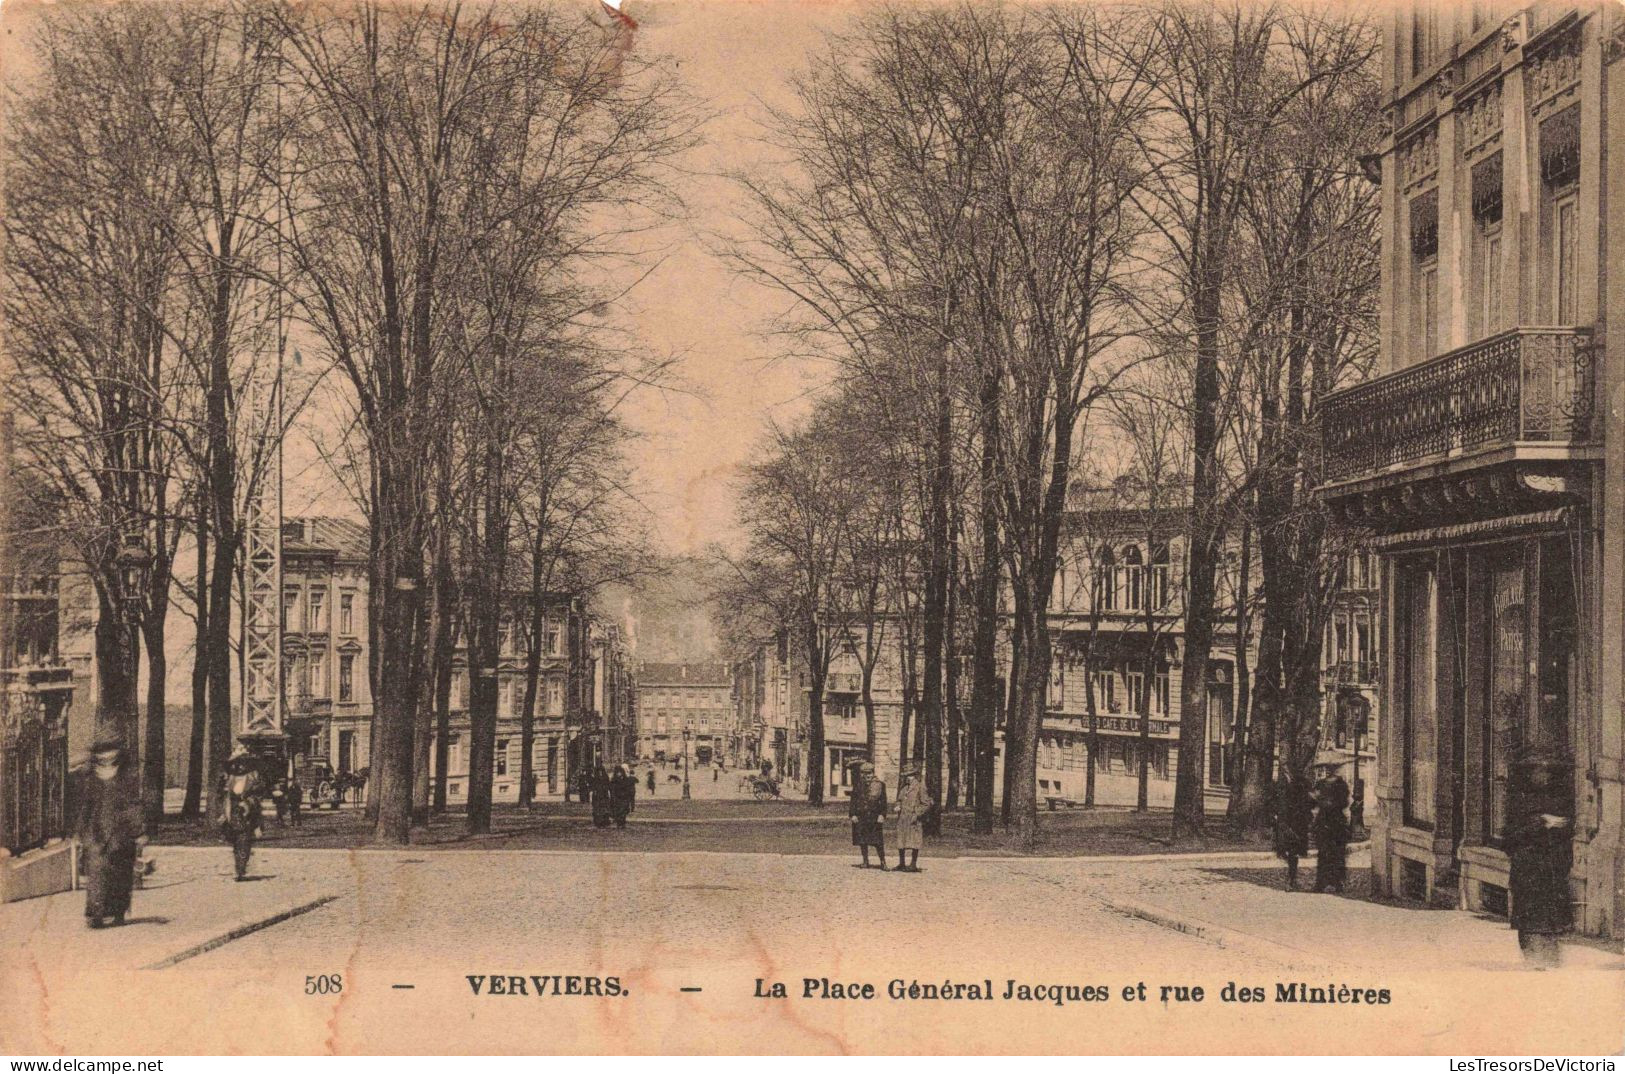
1418	630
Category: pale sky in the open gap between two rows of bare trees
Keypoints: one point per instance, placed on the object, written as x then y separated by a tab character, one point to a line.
735	56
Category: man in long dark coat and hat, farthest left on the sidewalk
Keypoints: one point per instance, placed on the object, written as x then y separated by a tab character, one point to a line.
108	821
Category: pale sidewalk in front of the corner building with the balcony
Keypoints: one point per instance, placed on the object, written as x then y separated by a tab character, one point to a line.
1247	909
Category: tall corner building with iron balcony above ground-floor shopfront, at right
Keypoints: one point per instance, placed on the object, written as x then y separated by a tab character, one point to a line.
1483	464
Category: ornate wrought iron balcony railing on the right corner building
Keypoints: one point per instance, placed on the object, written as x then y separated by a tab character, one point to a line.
1527	386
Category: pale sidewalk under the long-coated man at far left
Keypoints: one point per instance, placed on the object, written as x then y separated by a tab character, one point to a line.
191	904
